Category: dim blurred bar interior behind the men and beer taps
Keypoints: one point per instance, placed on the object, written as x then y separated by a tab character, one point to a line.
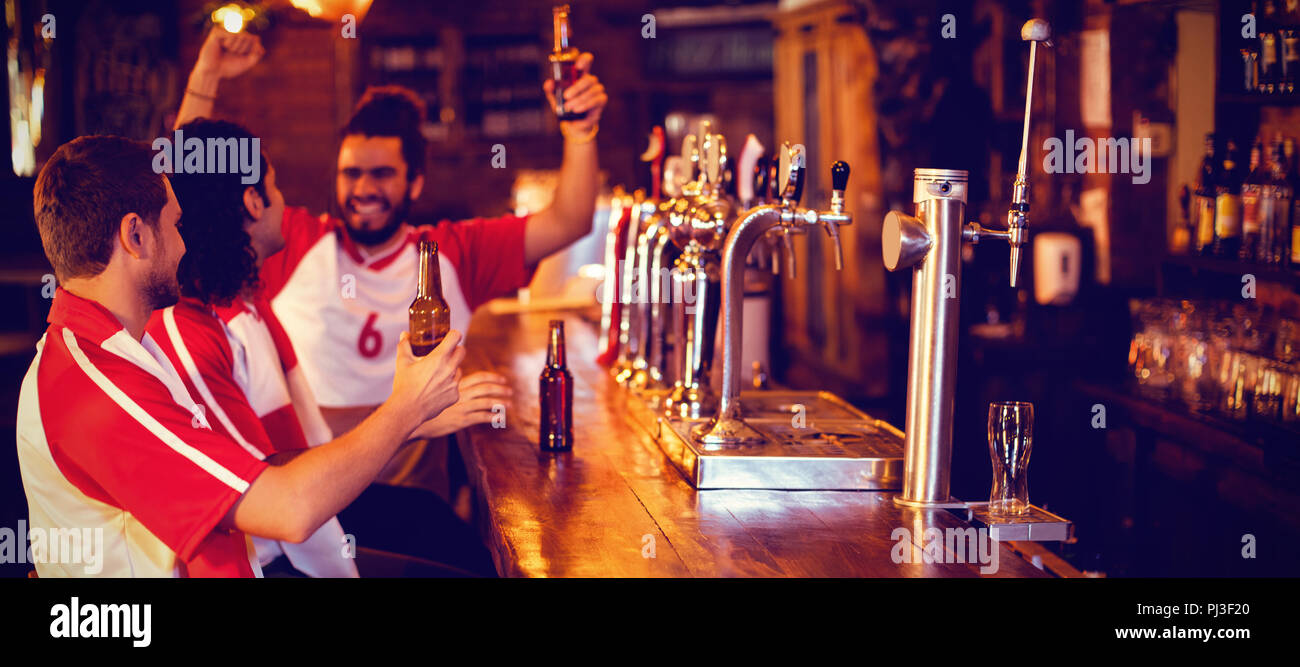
1186	337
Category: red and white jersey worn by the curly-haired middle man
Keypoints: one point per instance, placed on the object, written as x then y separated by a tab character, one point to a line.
240	363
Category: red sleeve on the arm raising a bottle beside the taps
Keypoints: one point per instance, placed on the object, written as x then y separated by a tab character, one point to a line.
488	255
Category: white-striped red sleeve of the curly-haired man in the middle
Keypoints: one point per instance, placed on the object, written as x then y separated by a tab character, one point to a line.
202	356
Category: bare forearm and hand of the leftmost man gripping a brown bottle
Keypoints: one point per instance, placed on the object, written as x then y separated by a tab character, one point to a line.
292	501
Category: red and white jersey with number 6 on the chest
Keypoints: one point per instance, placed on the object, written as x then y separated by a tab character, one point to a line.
344	311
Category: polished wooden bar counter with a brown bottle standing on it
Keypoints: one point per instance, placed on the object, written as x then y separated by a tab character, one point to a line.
617	508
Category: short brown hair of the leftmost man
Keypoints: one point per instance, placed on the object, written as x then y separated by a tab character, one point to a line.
84	193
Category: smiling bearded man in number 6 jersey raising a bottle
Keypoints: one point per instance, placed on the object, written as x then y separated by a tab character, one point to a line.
343	287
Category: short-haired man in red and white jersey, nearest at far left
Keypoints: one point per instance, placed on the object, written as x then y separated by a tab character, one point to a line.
110	439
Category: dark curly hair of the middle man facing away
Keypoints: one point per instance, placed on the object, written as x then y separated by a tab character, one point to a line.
219	261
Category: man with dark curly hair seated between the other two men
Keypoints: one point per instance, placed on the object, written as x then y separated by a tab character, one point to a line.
236	358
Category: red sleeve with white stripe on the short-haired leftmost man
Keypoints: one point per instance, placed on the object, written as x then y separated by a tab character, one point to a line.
119	436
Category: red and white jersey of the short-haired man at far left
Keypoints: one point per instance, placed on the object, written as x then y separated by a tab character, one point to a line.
110	440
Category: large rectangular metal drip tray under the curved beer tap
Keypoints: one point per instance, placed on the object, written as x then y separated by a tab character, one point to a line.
827	445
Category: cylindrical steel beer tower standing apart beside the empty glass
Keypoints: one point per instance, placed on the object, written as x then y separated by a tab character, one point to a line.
931	242
